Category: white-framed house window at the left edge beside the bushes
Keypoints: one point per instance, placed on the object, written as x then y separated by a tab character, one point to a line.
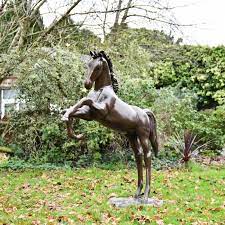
8	102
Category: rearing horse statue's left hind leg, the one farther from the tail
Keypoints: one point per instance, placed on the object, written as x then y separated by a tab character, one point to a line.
135	145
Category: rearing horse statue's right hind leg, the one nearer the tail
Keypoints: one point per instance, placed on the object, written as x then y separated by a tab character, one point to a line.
147	159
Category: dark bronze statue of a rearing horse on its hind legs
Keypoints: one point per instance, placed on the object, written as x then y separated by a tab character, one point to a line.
103	105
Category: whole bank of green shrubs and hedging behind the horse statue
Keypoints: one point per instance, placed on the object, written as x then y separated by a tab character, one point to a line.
153	73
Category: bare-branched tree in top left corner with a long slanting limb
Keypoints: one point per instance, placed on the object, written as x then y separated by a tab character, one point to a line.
22	24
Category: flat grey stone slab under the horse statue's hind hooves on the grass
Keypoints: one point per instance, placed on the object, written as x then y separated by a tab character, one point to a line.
125	202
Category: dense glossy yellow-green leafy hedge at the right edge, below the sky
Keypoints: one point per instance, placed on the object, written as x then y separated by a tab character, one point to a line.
200	69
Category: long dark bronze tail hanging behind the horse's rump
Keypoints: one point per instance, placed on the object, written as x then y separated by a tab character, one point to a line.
153	132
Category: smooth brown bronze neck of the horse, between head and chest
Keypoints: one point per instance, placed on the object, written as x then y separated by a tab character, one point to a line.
104	79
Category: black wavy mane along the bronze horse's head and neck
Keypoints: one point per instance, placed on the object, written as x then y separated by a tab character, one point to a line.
102	54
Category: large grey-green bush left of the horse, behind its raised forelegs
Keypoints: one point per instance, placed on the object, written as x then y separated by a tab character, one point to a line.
50	80
